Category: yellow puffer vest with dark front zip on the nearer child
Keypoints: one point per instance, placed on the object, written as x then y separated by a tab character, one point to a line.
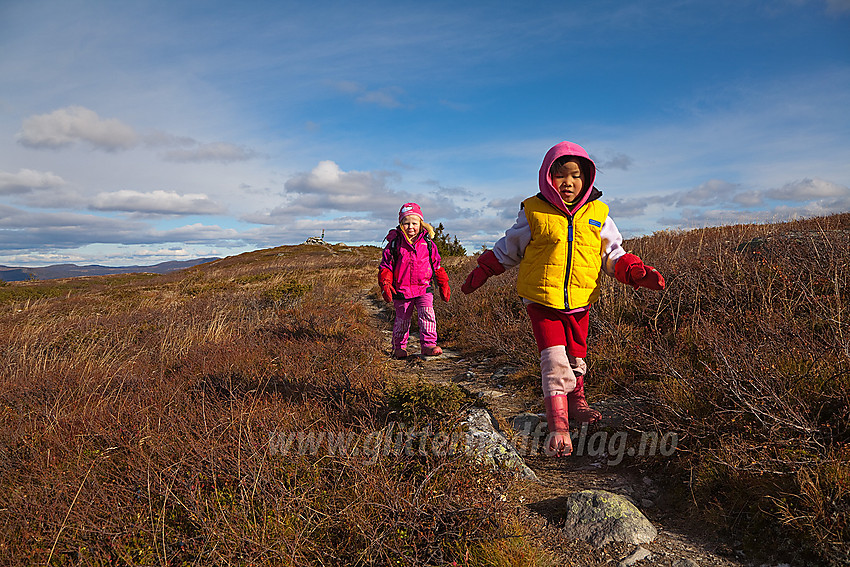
561	267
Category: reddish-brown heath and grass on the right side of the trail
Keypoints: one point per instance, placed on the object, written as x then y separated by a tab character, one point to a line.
746	354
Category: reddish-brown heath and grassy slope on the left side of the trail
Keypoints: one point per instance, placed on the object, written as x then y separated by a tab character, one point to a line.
143	422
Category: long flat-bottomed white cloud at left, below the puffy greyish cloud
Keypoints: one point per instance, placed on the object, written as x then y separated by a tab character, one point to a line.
156	202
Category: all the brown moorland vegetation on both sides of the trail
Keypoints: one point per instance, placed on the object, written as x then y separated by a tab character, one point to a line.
137	411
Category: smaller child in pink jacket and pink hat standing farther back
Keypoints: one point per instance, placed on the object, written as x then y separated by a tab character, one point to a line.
409	262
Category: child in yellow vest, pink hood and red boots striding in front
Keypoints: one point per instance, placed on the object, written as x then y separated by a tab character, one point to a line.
563	240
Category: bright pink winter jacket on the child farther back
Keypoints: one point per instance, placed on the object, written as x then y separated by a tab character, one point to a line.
412	272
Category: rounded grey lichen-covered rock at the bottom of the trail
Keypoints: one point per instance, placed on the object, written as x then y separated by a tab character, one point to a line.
600	517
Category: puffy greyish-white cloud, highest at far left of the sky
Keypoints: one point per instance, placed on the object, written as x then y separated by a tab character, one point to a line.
73	124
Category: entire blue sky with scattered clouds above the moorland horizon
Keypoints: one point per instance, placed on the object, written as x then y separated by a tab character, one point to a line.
140	132
